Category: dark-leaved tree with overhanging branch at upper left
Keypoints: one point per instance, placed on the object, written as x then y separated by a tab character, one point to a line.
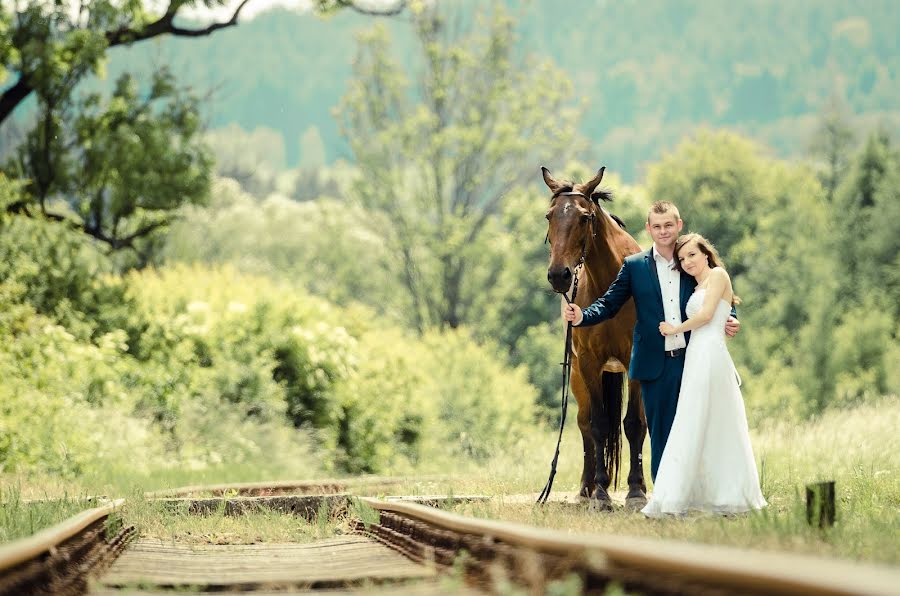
122	166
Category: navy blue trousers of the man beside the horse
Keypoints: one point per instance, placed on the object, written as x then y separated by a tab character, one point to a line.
660	400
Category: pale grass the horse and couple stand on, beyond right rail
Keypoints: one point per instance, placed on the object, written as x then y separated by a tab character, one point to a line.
858	449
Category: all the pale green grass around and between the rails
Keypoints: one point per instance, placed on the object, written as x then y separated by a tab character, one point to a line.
859	449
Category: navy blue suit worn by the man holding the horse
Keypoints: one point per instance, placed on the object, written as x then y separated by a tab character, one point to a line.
659	374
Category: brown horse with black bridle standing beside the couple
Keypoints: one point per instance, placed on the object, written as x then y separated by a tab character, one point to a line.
586	241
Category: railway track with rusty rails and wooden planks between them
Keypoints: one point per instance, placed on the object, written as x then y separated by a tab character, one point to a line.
402	546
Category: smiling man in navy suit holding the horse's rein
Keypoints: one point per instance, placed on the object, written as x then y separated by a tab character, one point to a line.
660	294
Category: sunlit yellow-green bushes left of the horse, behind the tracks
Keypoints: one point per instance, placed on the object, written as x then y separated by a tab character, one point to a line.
202	366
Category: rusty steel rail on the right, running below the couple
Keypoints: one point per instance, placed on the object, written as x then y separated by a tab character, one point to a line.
716	568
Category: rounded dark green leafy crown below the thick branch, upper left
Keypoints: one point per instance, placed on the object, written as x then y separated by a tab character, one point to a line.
117	169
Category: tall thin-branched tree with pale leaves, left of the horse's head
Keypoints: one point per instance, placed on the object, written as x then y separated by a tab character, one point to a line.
438	158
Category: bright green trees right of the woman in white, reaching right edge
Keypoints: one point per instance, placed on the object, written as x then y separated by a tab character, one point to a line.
819	313
